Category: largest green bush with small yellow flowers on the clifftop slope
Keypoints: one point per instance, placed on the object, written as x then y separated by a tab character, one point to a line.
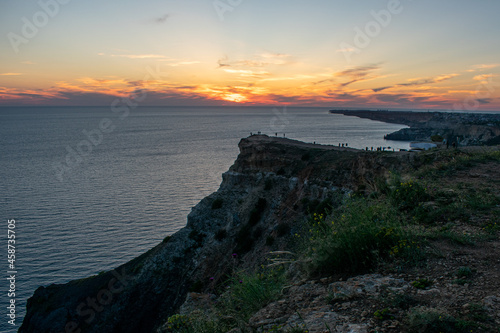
360	235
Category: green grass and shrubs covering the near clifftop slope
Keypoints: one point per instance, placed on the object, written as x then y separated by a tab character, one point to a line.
401	226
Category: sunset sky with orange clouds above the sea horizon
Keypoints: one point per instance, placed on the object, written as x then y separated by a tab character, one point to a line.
416	54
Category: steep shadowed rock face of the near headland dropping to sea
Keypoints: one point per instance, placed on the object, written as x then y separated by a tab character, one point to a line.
259	205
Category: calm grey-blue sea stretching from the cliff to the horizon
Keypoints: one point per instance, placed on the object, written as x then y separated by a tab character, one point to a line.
86	202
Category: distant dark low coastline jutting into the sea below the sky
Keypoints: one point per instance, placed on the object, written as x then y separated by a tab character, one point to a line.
466	128
